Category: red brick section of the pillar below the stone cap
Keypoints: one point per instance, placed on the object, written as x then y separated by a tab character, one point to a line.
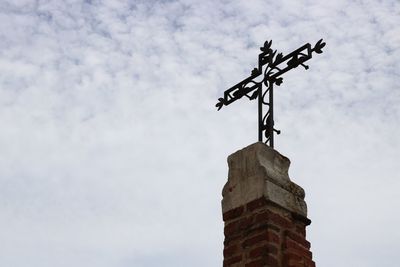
262	234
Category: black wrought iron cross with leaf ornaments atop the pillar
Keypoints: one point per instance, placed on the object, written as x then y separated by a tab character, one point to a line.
272	66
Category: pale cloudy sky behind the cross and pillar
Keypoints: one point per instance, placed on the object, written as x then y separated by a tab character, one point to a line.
112	152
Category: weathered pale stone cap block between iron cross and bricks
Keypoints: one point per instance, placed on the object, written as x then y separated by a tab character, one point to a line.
260	171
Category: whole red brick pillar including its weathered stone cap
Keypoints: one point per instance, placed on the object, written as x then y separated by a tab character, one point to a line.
264	212
